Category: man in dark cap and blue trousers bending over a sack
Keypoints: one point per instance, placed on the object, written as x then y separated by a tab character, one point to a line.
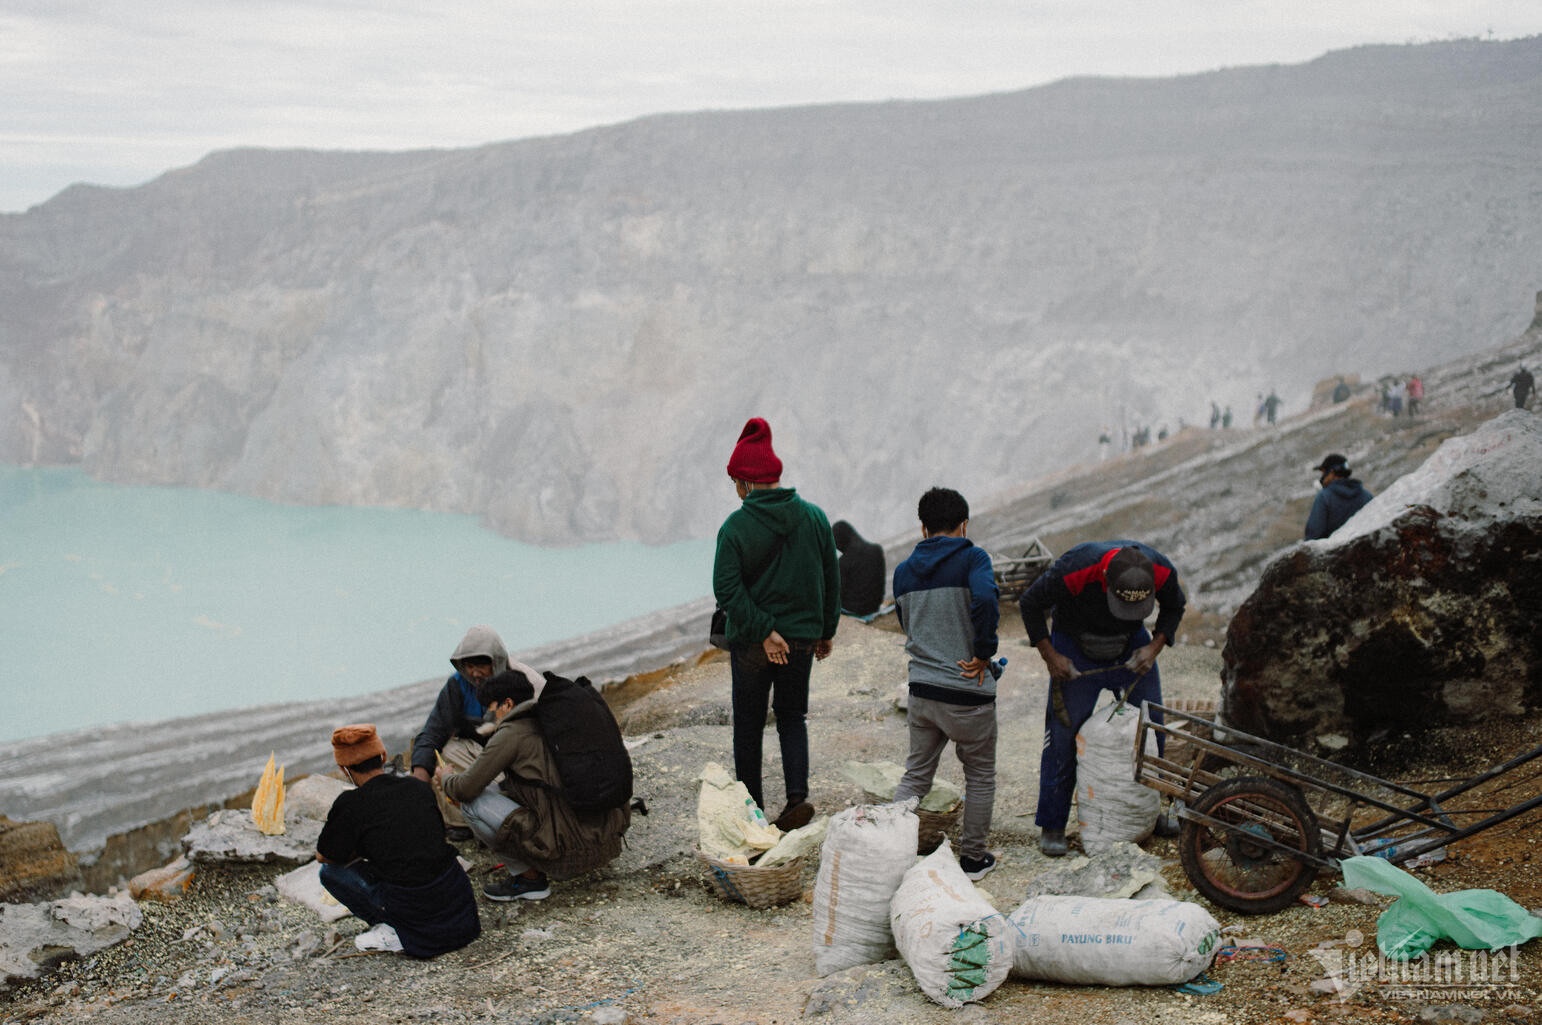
1100	594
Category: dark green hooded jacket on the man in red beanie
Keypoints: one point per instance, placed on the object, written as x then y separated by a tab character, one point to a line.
776	570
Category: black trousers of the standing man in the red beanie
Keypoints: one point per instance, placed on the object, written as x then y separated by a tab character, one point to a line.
758	682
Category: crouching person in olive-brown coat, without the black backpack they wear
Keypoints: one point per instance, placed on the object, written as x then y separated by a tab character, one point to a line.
513	801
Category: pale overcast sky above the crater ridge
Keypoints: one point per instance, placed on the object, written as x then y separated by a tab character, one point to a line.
118	92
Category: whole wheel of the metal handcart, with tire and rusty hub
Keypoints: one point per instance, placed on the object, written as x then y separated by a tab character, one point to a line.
1234	864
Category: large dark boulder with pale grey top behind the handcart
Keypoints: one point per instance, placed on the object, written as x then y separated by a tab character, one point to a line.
1422	611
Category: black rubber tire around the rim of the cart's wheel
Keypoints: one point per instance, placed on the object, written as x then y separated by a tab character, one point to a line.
1281	799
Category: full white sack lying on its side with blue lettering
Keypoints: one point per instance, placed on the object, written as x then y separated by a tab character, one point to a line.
1113	943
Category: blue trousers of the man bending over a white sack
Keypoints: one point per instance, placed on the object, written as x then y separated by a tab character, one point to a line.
1059	761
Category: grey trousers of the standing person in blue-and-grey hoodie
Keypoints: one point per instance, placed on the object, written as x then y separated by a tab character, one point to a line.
972	728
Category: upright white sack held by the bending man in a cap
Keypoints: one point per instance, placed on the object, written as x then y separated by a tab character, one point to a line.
1111	805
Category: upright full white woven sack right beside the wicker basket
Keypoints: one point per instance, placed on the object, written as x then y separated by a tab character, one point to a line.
867	852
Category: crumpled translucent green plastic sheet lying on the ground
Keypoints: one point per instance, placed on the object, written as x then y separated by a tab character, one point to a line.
1473	919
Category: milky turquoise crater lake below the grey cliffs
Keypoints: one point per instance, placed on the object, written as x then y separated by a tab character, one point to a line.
144	603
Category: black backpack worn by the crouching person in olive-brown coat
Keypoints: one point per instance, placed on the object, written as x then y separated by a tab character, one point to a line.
581	731
